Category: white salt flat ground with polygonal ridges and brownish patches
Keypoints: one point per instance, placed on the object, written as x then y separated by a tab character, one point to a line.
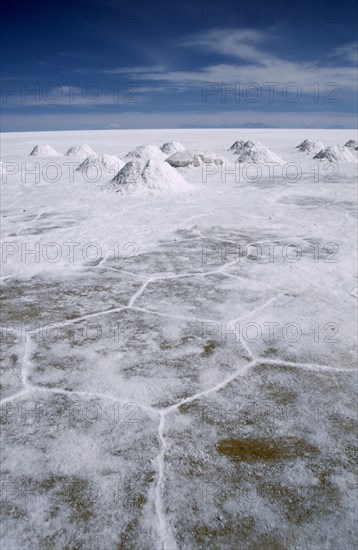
137	412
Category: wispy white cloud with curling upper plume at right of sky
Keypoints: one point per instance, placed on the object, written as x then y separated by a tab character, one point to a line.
257	64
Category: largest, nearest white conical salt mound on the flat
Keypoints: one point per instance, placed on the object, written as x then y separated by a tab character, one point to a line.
138	178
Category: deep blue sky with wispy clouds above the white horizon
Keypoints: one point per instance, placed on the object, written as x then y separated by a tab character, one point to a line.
157	63
